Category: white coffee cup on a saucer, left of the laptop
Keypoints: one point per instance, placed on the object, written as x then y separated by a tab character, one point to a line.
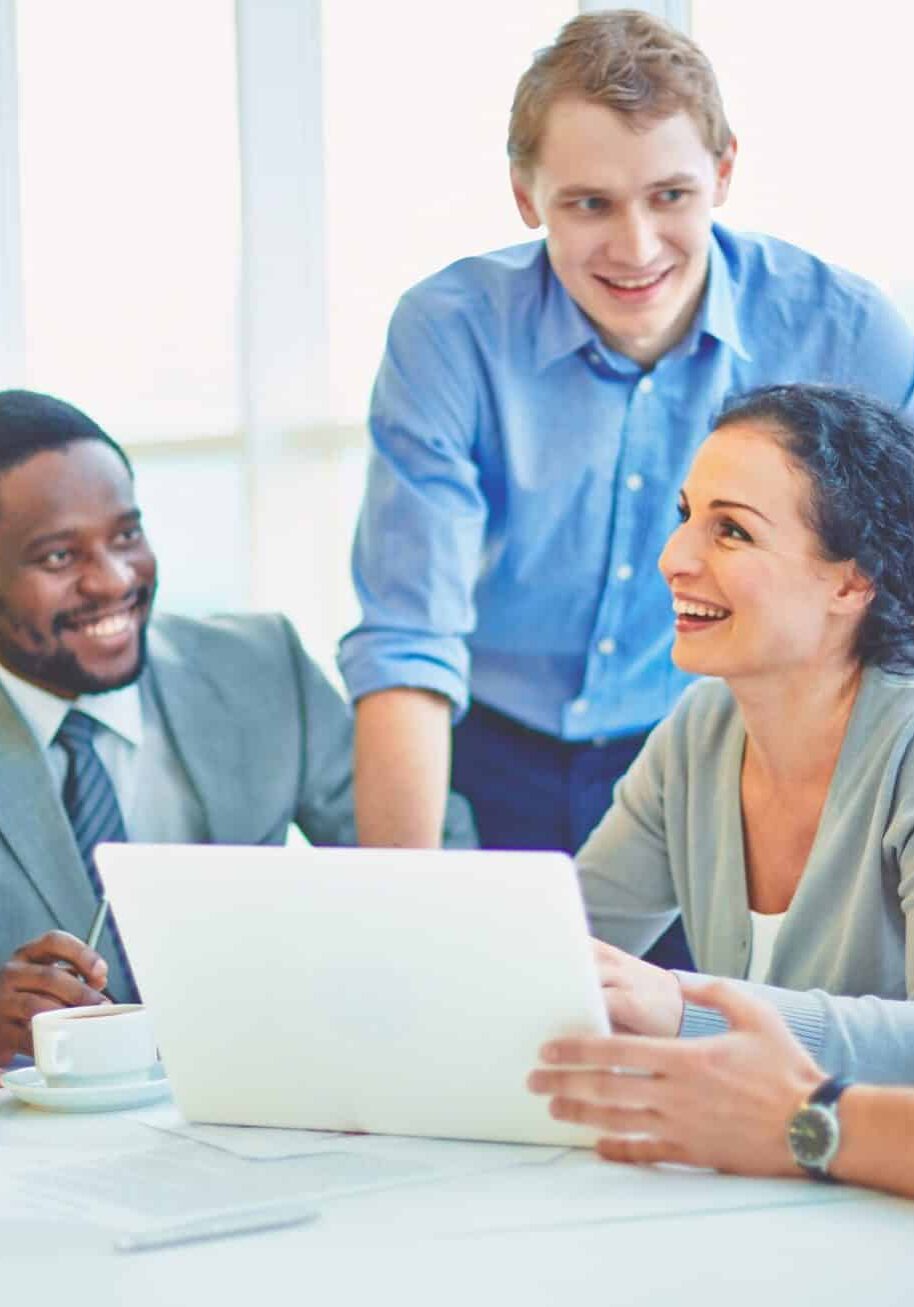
100	1045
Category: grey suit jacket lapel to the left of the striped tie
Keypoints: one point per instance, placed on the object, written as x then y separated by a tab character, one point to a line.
36	827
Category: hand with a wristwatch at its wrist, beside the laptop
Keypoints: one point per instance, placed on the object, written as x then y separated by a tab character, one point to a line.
722	1101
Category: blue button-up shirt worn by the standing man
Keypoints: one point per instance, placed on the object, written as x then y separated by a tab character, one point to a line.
524	479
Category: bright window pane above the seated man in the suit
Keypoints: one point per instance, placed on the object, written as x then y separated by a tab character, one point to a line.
129	147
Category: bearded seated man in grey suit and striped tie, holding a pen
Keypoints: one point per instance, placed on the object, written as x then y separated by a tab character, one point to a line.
198	733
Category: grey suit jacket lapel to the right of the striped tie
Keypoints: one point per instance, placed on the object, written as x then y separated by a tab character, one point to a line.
205	734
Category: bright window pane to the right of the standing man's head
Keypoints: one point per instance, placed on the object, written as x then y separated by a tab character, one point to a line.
819	95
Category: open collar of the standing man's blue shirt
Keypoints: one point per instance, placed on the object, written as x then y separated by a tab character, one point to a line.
566	329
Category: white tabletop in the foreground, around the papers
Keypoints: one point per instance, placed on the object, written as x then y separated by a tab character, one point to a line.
409	1246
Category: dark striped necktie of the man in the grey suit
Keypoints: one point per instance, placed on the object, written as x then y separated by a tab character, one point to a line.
93	811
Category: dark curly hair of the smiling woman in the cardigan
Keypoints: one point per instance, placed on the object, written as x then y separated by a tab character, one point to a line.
860	459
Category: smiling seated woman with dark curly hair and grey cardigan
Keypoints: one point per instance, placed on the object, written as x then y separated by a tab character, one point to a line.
780	799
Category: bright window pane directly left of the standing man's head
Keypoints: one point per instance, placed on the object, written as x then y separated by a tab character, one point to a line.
416	104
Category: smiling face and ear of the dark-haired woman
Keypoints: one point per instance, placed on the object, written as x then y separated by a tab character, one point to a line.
751	587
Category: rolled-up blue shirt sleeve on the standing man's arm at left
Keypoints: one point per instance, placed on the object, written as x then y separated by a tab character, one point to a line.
422	527
